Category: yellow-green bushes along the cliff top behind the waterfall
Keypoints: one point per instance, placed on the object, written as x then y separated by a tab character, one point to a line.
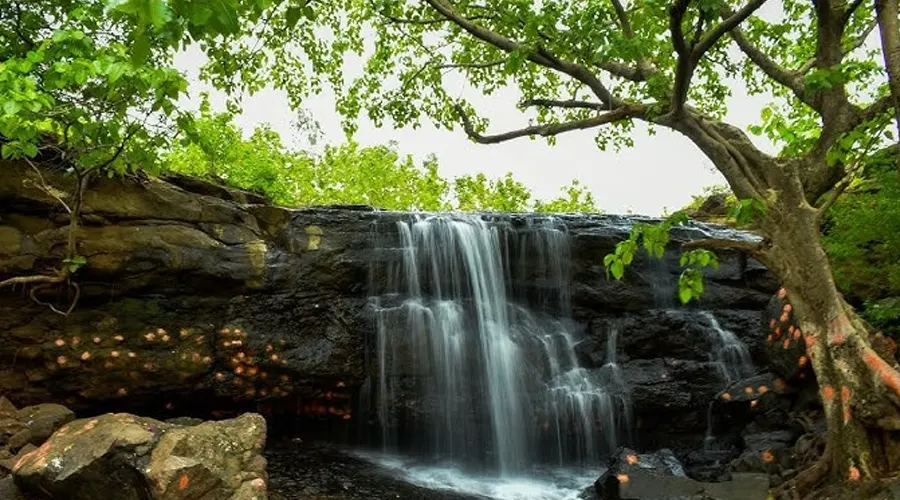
347	174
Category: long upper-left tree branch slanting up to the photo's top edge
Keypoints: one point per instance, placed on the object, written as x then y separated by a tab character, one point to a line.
541	57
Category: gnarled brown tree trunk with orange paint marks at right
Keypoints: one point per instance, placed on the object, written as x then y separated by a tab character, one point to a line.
858	388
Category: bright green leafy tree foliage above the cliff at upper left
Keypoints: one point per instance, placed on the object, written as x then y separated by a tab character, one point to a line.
91	83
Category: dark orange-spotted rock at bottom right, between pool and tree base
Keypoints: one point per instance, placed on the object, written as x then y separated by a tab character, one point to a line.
659	475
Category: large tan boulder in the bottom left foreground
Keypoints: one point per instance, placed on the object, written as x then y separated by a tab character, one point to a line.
126	457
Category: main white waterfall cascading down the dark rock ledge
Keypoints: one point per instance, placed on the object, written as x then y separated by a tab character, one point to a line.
475	348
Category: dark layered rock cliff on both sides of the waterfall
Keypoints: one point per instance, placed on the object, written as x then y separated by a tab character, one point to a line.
197	298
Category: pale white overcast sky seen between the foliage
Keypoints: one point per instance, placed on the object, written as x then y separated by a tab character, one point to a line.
659	172
